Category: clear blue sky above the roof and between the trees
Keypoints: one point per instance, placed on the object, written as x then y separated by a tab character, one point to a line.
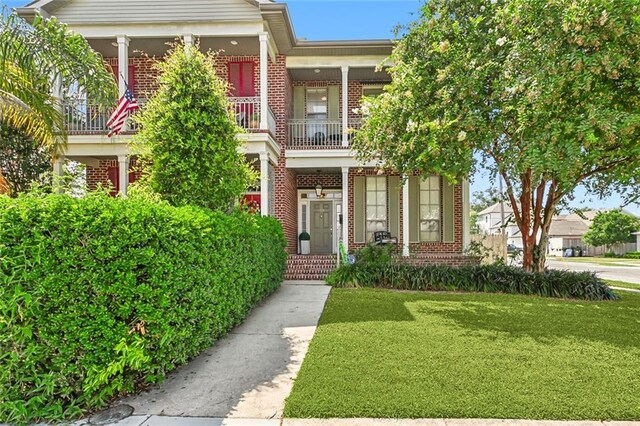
375	19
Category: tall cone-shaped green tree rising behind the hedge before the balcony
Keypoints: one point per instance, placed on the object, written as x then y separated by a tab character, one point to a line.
190	134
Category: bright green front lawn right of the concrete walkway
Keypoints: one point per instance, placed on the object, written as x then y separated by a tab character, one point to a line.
379	353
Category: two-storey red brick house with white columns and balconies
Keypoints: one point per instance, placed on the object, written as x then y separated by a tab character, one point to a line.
298	102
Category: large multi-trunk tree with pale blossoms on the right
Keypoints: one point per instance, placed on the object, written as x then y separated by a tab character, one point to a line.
547	90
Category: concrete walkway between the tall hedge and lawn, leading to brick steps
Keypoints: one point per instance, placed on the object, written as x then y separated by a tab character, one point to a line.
246	375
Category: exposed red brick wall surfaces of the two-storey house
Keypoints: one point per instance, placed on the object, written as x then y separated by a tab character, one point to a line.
287	181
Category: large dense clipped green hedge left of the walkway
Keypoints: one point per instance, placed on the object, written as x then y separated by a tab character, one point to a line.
99	296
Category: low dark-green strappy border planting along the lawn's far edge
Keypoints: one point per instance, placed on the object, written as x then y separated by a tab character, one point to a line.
393	273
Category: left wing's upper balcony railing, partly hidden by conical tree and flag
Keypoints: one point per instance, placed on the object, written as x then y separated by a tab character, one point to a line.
86	118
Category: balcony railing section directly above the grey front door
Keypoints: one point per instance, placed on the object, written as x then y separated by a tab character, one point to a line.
314	133
